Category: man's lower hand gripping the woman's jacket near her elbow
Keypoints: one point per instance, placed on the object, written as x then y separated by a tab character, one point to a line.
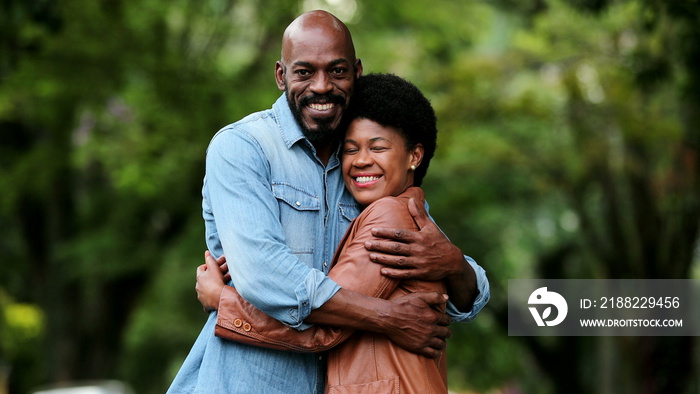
419	329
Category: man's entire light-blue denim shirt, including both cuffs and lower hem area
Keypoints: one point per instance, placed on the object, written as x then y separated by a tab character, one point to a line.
278	214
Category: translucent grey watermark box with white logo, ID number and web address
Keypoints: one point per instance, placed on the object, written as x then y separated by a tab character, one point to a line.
603	307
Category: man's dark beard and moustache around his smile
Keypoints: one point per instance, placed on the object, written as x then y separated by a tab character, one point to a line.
325	132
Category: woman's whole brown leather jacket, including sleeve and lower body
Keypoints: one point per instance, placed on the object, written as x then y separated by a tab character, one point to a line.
358	362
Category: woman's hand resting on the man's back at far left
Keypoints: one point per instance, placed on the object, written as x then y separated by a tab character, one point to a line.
211	279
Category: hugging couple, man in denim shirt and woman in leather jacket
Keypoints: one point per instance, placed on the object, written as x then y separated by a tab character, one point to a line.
343	284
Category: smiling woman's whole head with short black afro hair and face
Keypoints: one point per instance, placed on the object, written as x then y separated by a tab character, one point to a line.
391	137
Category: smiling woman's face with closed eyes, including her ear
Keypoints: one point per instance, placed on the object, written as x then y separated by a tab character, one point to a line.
375	161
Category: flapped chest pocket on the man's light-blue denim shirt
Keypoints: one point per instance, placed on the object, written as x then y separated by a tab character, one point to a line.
299	215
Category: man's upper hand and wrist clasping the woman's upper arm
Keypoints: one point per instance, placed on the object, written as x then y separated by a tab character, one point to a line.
426	254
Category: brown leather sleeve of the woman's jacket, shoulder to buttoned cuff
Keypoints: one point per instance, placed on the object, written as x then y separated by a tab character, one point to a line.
240	321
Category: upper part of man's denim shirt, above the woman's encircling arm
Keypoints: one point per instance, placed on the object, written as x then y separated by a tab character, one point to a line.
277	213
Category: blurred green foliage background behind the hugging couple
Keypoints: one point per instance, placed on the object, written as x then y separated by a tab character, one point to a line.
568	148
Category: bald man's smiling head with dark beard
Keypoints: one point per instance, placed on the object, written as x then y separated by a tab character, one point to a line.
317	72
